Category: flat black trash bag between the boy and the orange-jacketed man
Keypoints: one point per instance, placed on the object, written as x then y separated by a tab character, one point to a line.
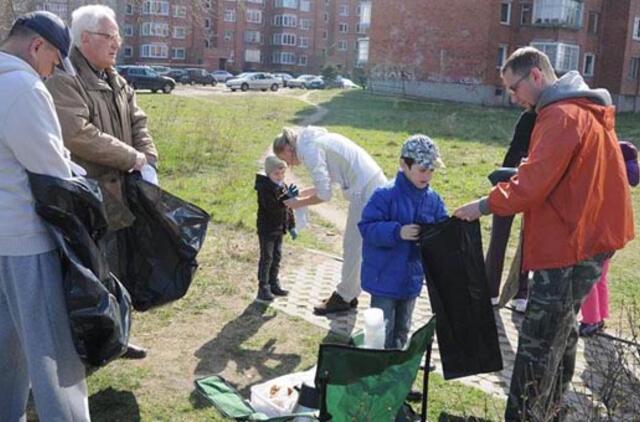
459	294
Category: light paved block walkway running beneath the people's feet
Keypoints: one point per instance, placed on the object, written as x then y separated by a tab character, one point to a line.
314	275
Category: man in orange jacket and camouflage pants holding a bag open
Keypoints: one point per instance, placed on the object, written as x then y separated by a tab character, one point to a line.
577	210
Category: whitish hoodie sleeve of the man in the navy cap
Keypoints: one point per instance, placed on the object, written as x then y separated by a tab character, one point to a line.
33	134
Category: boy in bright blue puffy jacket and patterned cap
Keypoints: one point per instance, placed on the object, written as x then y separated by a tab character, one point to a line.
390	227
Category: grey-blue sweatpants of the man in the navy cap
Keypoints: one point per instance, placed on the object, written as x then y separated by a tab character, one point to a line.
35	343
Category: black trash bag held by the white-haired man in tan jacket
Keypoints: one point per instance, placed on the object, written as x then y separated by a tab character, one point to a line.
162	244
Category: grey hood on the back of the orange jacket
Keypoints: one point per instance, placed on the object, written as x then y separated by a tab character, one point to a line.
570	86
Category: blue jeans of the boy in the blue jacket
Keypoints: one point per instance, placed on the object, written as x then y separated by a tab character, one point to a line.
397	315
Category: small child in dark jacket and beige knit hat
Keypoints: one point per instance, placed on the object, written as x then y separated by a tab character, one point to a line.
274	220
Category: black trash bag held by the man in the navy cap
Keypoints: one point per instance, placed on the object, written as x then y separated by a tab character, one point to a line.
98	305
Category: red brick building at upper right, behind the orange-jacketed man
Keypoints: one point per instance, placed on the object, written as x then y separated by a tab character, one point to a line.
453	49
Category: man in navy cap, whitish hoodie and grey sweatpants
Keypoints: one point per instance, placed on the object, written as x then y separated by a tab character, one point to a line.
36	348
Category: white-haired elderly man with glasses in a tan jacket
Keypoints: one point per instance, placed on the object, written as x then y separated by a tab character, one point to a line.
102	125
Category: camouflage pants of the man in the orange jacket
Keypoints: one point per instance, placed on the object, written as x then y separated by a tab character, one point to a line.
545	361
